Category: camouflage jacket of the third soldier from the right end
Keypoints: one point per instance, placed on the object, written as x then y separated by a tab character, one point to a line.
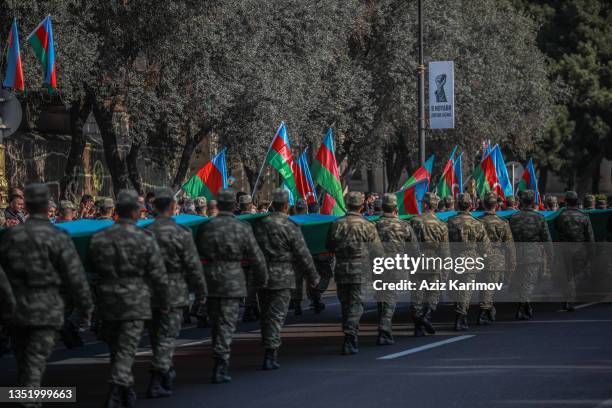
503	253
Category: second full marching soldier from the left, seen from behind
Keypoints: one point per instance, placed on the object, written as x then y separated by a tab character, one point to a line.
128	275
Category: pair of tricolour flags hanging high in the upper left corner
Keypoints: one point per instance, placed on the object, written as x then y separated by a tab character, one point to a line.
41	40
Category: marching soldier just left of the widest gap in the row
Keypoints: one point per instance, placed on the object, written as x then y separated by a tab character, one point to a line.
285	250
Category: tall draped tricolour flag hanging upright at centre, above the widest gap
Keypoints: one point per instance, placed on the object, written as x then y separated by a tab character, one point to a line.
326	175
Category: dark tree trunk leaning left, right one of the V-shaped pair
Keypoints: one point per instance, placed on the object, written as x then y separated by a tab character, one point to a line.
116	165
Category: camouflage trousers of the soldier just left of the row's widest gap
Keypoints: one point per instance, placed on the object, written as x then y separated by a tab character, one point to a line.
274	305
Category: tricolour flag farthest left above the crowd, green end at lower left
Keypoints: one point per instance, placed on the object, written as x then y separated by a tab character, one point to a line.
209	179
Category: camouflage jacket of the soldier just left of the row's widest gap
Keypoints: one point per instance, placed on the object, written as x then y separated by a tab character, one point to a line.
283	245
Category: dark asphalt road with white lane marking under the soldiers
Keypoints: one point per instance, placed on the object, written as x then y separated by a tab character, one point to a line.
559	359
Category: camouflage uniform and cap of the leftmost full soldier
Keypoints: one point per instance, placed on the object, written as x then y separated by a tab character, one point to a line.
39	259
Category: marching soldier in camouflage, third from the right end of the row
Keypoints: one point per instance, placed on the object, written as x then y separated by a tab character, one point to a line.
501	258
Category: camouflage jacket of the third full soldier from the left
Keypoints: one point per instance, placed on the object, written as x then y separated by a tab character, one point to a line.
181	259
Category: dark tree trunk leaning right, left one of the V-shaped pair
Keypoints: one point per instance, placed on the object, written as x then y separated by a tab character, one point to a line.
69	184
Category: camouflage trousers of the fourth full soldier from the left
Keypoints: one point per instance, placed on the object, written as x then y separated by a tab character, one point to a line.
223	313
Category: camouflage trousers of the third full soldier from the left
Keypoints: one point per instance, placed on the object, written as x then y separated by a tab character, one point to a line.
164	328
